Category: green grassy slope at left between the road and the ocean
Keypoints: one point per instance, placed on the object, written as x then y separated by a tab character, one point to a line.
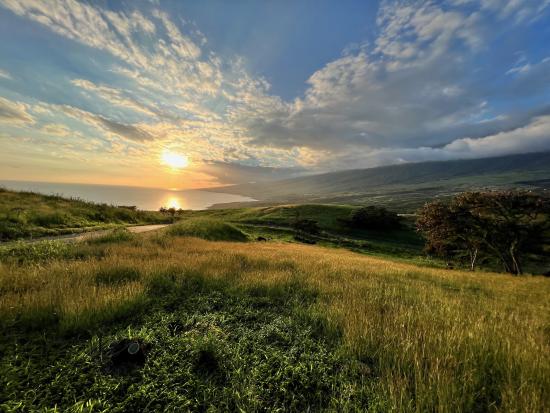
27	214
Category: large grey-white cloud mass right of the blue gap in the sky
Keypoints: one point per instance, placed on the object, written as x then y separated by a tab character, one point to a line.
416	86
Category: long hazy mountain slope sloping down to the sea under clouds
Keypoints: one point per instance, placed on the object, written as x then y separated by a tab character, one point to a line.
407	186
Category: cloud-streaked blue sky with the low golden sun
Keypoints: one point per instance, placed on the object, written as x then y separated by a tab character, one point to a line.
112	92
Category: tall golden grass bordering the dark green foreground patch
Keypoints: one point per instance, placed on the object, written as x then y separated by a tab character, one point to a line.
429	339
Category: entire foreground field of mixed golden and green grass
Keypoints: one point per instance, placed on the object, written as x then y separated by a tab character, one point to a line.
250	326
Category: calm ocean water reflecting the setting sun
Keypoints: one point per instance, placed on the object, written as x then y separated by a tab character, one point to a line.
148	199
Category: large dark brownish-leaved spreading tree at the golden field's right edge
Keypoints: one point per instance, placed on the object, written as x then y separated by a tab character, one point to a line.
506	225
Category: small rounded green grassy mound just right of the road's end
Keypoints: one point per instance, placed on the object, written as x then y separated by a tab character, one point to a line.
207	228
